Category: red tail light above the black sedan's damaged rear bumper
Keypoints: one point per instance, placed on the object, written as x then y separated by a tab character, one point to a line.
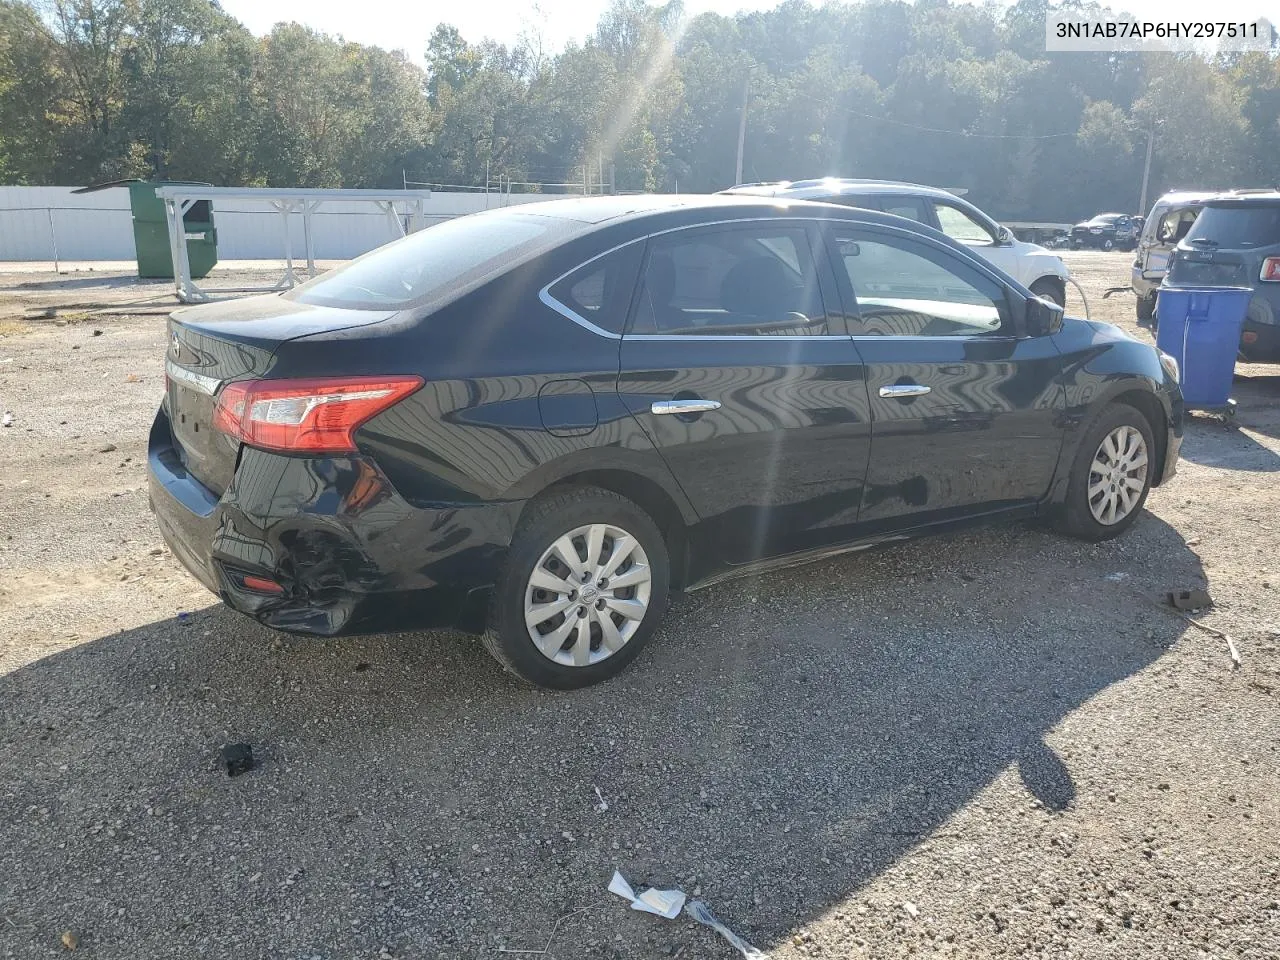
307	417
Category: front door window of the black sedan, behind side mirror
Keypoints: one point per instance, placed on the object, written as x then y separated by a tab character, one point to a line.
909	290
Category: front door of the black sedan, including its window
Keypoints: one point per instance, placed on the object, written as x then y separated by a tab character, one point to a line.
966	412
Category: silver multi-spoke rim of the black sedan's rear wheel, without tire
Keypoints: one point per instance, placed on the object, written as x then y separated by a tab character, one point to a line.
588	595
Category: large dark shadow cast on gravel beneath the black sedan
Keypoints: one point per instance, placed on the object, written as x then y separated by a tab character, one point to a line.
780	744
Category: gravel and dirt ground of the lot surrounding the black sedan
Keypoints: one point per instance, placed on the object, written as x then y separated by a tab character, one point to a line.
994	744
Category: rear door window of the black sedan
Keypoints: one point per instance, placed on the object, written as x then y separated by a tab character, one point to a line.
746	281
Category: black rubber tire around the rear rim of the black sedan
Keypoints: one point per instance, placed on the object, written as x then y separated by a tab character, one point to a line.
545	522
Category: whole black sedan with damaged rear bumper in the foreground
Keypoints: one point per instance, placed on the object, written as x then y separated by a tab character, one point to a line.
538	423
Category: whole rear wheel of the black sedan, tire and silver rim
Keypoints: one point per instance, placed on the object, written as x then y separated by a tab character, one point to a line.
586	584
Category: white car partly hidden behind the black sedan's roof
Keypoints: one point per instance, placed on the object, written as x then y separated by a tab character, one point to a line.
1036	268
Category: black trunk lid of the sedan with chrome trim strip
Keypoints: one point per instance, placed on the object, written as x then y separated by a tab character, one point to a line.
218	344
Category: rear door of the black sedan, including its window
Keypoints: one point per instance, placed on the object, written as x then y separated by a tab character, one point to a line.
749	386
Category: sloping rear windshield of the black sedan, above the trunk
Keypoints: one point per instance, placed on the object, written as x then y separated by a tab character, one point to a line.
436	263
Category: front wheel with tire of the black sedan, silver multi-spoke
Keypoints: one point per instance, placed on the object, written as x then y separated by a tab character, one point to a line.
1112	476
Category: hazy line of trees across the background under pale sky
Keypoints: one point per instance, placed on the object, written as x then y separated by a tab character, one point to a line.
936	93
